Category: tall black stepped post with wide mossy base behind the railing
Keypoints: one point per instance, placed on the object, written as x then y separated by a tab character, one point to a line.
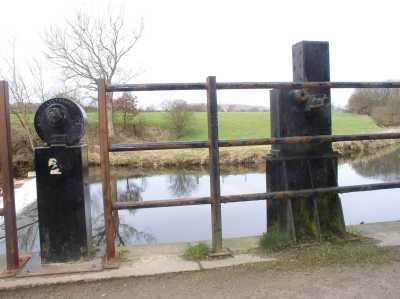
304	166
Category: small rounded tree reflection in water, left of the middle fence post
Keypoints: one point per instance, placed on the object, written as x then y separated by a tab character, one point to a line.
182	184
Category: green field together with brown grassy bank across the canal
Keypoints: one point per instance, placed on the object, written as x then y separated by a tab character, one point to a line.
232	125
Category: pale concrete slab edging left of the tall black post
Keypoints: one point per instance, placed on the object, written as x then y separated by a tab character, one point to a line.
139	261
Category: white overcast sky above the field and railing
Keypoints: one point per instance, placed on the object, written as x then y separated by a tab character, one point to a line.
185	41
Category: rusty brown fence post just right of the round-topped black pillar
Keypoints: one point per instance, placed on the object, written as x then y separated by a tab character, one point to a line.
105	171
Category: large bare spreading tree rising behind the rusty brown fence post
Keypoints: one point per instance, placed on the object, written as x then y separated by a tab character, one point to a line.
88	48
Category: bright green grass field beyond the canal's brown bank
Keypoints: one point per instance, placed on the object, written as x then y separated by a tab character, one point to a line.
247	124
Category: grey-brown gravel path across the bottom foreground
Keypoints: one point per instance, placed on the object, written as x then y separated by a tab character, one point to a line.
255	281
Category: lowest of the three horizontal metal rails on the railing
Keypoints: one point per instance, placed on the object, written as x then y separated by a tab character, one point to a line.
292	194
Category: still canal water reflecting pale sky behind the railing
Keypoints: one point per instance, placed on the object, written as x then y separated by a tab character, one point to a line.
190	223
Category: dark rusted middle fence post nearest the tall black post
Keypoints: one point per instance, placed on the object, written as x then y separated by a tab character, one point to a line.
215	190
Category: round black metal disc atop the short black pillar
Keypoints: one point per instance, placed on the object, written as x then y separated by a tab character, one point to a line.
60	121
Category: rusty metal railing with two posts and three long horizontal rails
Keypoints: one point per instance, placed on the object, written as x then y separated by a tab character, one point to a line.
213	143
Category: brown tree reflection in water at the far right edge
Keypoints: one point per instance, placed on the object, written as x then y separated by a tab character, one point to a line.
386	167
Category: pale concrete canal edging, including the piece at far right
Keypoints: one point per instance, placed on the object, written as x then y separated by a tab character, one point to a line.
149	260
